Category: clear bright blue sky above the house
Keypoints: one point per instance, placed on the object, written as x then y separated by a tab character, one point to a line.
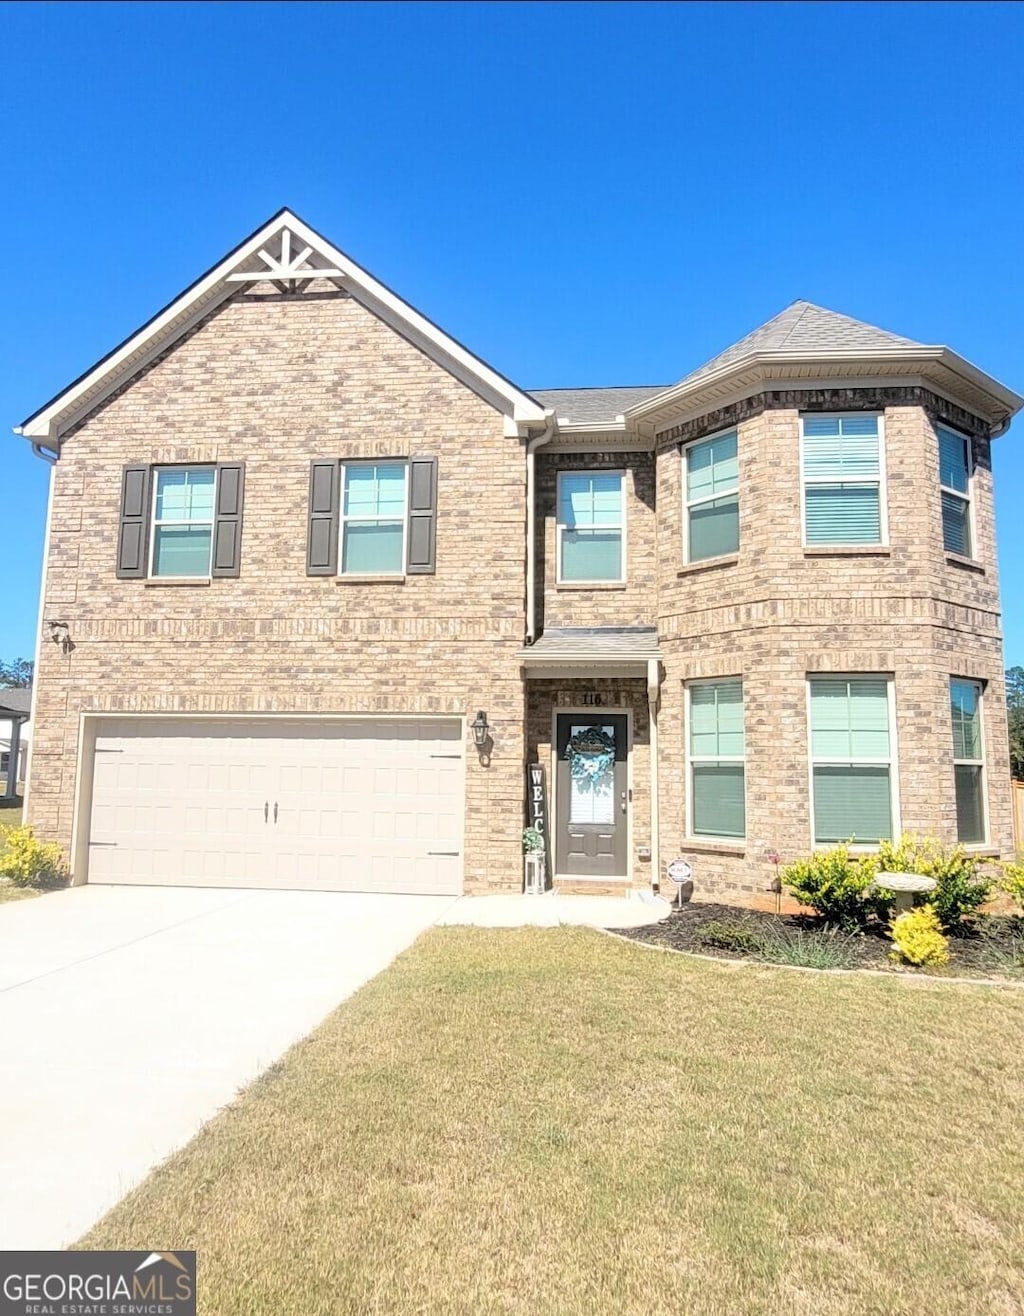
584	194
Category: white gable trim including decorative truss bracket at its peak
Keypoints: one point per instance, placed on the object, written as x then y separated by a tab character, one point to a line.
285	252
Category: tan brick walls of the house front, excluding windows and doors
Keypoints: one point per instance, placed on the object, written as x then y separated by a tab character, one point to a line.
278	380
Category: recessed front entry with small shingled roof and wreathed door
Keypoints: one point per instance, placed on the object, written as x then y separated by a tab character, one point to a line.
592	698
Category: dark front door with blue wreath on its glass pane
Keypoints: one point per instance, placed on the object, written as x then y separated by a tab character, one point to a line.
593	796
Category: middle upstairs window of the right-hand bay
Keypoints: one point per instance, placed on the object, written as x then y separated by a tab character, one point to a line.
844	492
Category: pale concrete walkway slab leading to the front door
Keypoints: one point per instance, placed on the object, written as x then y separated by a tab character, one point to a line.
553	911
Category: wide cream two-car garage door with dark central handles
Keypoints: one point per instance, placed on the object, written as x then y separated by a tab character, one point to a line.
348	806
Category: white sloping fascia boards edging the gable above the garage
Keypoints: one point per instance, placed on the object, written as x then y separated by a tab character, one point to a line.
202	298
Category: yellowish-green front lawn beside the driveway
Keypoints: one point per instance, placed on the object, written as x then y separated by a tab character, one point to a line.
555	1122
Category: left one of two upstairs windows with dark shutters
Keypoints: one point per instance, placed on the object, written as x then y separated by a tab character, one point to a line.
181	523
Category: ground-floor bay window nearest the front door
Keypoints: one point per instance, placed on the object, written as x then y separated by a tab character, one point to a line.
717	760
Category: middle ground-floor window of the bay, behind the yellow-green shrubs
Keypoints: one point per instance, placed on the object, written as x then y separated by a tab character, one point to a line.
851	759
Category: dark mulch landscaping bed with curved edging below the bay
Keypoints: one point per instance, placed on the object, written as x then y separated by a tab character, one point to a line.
993	947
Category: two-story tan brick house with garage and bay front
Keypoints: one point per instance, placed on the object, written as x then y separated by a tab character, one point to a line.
299	539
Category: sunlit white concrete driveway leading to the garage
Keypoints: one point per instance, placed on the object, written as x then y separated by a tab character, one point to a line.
130	1017
